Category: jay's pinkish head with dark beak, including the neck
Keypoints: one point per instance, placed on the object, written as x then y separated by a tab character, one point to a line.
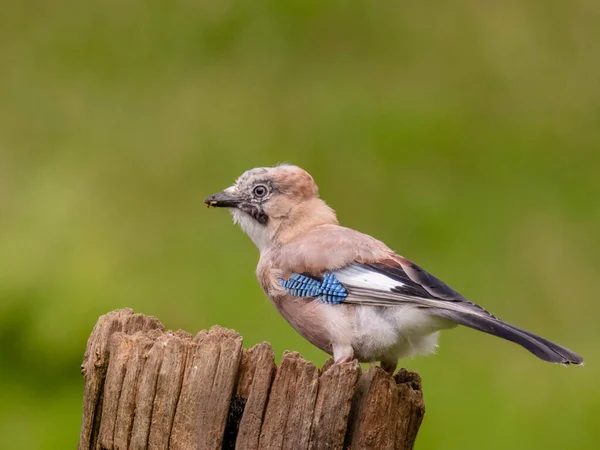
270	201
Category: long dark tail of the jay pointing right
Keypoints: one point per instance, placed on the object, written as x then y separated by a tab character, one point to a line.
540	347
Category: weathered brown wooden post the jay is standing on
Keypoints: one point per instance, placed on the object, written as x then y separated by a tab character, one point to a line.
146	388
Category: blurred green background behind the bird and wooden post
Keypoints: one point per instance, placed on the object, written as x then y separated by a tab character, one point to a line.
465	135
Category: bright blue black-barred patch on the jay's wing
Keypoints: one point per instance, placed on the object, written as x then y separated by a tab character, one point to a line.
330	290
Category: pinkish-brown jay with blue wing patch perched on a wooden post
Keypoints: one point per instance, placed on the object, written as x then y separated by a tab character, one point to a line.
346	292
